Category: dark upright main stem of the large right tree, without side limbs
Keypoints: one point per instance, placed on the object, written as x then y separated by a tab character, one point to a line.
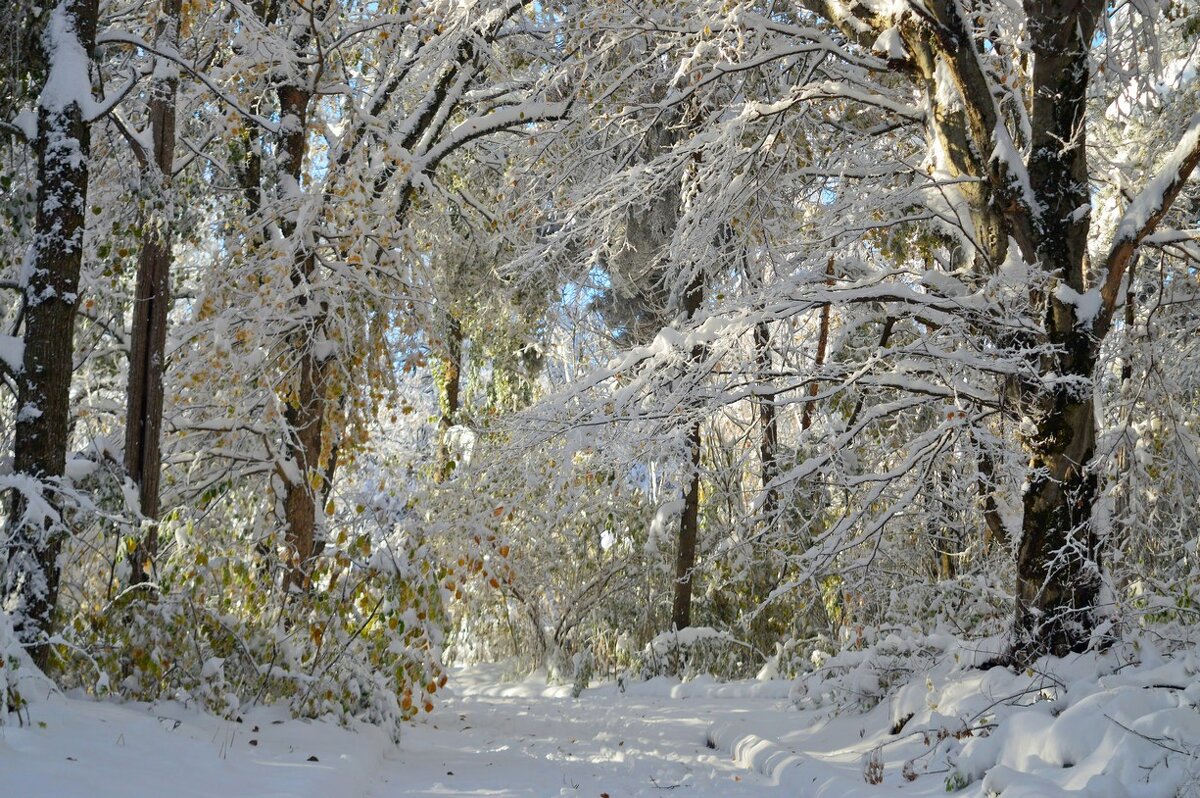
1059	560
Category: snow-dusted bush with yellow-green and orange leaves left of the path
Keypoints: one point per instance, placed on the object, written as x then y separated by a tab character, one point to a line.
364	644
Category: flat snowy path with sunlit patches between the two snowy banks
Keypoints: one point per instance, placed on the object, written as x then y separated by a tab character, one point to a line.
533	742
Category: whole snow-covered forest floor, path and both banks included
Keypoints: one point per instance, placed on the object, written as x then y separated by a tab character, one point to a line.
1113	725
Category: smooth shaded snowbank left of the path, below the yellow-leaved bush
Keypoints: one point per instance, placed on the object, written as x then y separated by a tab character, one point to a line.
67	745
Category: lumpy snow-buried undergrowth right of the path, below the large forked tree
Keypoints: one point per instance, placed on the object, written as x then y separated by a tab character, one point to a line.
920	715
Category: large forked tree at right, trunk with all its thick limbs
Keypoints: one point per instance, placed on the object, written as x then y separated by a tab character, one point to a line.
1048	217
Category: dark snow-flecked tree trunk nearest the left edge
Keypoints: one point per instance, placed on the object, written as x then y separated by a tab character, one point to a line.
51	298
